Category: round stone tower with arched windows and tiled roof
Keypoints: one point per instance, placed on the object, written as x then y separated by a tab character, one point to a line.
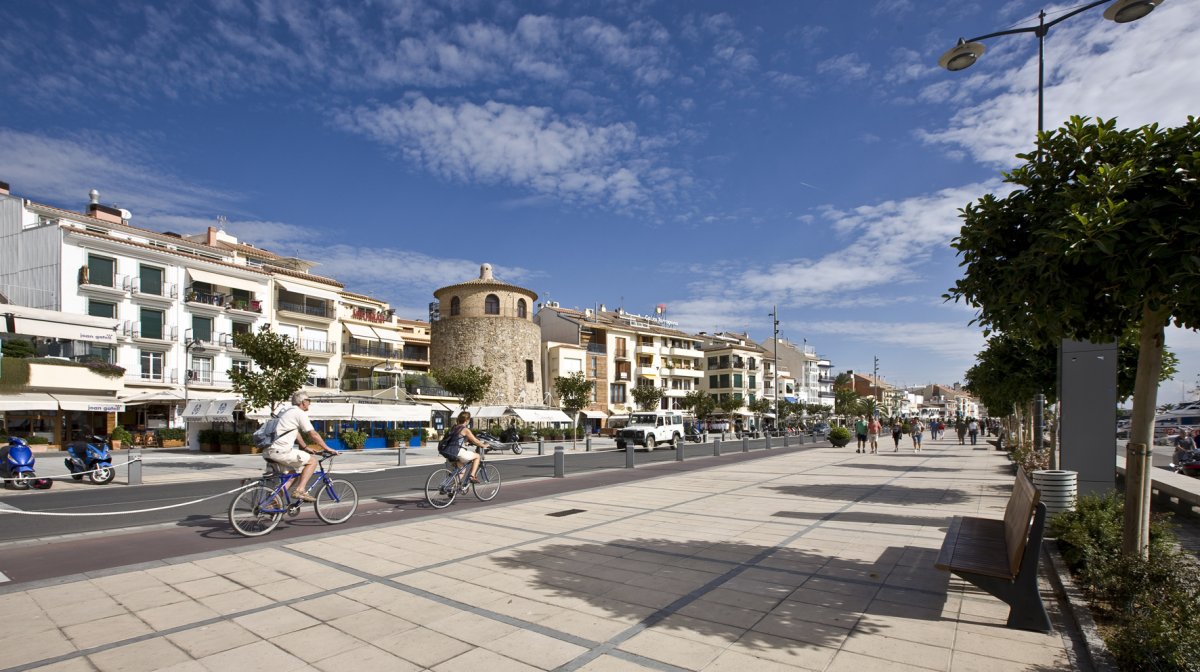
489	323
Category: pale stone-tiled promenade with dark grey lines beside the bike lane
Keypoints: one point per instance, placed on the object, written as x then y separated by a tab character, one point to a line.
815	560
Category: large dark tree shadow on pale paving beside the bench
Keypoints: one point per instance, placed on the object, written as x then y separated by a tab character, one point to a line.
739	592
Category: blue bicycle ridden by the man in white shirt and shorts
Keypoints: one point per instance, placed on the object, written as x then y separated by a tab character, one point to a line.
256	511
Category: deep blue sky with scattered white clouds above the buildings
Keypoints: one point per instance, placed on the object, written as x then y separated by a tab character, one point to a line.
721	159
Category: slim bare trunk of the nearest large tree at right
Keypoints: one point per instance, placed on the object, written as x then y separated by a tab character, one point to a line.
1136	539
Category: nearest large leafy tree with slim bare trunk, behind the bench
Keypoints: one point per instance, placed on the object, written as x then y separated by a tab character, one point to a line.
1100	237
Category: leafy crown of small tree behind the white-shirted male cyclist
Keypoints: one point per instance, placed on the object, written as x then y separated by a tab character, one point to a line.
279	369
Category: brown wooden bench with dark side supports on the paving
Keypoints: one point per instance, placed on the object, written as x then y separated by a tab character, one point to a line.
1001	556
